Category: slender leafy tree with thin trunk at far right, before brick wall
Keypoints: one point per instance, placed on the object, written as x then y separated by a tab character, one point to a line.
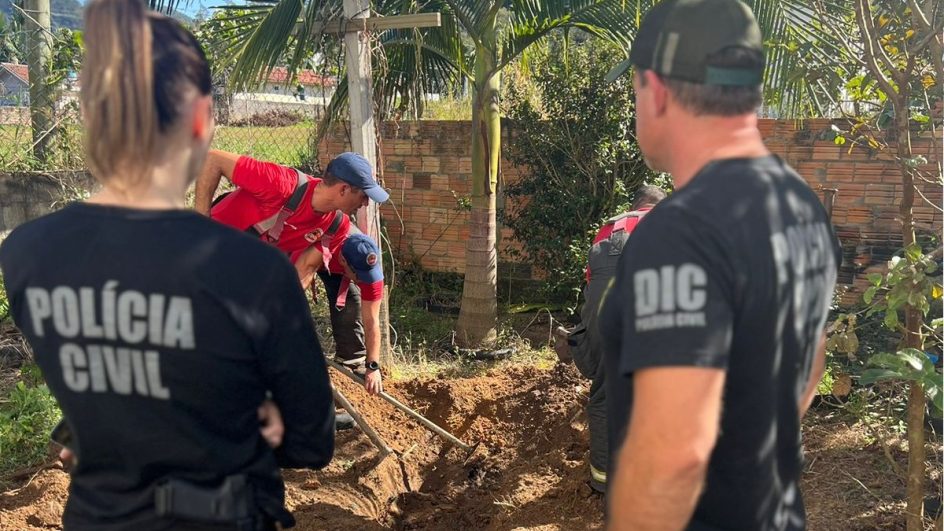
889	73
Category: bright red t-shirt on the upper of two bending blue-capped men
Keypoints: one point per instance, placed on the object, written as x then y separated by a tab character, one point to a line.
263	188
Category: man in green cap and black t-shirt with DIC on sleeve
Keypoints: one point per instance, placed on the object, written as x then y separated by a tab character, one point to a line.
722	293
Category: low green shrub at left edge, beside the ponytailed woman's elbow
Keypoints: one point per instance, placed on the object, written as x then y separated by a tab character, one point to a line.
27	416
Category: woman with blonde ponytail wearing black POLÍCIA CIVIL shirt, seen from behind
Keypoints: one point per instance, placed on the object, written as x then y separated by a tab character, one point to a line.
140	318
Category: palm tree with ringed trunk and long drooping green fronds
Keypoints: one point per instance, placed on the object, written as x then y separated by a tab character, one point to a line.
500	31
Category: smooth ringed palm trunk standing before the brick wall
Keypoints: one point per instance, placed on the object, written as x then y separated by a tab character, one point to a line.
478	315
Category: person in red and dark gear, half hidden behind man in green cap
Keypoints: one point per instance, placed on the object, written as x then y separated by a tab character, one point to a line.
584	341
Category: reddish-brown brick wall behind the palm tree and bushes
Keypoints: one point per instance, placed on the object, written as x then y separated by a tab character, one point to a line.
424	163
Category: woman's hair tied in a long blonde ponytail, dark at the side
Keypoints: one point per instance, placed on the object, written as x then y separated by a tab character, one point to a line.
126	109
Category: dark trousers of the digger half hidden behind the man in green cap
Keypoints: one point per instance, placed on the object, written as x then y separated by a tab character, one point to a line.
589	360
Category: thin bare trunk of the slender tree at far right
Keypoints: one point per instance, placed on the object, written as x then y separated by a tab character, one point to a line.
917	401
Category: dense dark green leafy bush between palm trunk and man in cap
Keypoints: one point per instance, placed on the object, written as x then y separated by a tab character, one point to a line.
574	133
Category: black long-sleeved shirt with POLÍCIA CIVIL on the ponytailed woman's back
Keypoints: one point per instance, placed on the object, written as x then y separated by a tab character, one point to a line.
160	332
